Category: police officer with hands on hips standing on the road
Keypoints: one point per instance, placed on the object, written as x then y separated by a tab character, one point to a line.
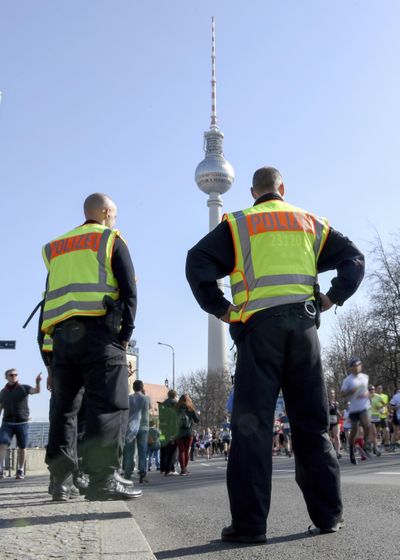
273	252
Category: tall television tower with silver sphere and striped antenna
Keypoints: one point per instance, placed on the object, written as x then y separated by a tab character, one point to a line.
214	176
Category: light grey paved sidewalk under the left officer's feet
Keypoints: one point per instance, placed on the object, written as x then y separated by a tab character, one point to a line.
32	527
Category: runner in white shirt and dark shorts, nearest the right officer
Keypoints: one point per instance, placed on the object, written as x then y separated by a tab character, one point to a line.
355	388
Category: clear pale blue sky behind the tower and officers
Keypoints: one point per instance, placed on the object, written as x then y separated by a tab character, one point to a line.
115	96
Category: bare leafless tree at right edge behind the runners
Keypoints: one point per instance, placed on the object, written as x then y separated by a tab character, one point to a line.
373	333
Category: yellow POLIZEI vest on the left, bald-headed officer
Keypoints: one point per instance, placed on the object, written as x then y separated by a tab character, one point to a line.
80	274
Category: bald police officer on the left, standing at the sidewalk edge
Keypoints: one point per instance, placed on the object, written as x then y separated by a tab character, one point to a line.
89	311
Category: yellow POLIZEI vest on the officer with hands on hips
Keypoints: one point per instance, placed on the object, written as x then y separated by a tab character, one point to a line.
277	246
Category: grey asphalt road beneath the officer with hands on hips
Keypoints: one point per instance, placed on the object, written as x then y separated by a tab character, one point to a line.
182	517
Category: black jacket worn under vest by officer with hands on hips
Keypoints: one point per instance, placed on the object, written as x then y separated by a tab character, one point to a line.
213	257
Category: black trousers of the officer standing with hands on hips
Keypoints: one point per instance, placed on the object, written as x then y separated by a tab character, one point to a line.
281	352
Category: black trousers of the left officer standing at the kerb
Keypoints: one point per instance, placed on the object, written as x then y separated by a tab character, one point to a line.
86	354
